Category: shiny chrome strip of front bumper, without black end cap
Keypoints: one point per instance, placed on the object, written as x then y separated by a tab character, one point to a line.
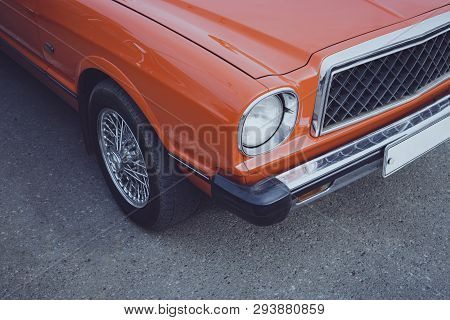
313	170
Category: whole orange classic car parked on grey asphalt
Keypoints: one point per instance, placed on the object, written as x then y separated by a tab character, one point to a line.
263	105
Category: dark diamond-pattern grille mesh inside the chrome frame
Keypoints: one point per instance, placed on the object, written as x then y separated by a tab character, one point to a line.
378	83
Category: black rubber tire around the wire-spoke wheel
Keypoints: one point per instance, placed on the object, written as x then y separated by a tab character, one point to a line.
172	197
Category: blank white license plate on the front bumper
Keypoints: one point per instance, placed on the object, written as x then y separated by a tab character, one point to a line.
402	152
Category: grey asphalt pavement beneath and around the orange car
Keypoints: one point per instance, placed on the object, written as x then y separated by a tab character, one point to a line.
63	237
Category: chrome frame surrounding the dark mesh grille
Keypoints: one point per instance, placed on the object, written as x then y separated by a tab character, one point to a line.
372	50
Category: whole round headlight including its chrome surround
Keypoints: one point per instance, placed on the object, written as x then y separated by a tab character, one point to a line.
268	121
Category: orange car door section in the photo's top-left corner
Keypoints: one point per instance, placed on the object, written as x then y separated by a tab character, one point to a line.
18	20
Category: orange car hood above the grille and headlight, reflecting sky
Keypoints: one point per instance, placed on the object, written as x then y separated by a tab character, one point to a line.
266	37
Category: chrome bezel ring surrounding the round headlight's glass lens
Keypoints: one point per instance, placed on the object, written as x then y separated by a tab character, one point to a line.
287	125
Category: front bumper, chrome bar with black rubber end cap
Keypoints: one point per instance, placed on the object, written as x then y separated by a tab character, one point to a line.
269	201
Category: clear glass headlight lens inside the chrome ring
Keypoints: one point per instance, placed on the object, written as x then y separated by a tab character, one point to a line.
262	122
